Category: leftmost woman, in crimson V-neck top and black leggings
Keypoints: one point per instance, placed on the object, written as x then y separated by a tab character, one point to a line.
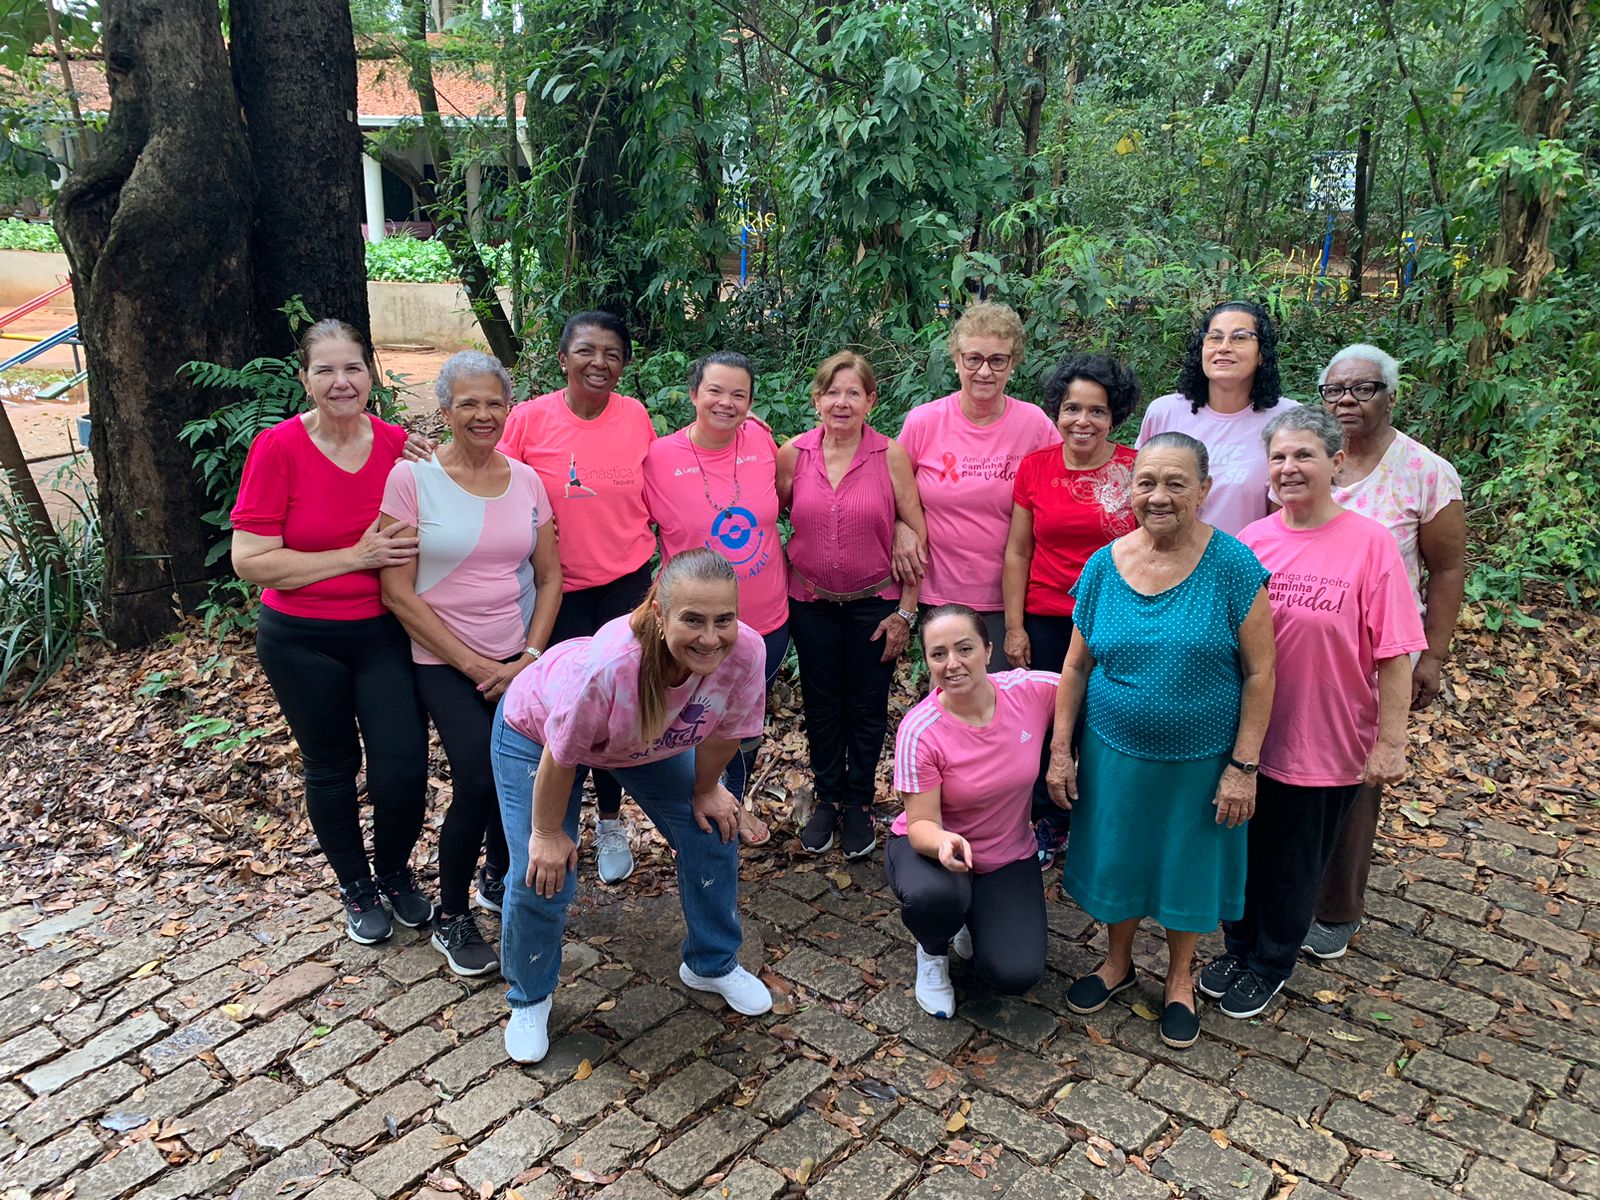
340	665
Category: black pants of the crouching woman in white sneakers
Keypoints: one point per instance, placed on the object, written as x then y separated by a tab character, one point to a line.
1002	910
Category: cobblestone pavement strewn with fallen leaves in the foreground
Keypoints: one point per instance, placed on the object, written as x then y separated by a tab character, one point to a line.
255	1052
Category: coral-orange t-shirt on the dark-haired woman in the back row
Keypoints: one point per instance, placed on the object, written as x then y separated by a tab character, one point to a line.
594	473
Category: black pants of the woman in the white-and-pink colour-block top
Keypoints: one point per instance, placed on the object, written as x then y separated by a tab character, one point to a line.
465	721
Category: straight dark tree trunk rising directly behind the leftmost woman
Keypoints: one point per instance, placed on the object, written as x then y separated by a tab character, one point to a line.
295	70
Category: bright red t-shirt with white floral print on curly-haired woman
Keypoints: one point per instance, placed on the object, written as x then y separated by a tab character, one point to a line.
1074	514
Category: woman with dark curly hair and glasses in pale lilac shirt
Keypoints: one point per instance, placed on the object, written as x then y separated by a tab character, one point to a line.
1228	393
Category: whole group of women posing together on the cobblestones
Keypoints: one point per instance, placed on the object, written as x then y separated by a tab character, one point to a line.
1100	642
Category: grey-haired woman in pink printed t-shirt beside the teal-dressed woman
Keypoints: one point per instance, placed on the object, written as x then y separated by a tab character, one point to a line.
1345	623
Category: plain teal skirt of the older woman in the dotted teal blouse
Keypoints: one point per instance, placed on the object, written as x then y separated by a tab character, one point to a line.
1145	842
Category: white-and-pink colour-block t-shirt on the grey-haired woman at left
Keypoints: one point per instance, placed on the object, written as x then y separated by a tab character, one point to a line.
474	564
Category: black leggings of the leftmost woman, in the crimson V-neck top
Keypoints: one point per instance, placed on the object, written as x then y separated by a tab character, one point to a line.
342	686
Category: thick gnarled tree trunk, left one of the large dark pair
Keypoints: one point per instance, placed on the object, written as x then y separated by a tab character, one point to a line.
158	231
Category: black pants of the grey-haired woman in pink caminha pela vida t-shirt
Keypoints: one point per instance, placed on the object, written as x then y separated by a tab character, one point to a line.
1292	838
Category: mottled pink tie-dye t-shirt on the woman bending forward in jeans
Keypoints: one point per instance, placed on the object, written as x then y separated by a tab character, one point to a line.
580	702
